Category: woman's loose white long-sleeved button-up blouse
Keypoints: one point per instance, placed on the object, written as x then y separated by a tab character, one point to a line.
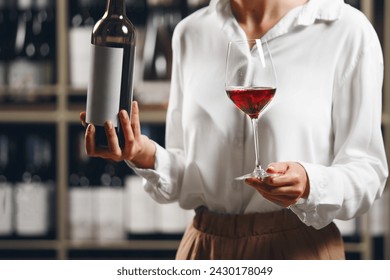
326	114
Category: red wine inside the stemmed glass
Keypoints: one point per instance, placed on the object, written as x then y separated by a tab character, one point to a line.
251	100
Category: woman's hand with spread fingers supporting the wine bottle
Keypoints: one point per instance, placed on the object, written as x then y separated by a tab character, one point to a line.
139	149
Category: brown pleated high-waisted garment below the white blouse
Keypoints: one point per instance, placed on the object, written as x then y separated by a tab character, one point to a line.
262	236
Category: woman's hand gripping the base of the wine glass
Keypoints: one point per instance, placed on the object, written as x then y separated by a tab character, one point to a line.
289	184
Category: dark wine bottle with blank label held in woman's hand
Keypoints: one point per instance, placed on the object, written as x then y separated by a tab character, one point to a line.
110	88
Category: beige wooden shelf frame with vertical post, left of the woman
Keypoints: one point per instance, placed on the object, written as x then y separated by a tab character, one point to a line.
52	104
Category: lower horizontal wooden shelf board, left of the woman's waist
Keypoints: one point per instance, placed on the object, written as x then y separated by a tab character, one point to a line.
89	245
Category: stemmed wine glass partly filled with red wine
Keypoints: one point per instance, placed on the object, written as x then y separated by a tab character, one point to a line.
251	85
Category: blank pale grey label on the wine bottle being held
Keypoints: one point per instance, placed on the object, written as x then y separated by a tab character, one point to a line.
104	87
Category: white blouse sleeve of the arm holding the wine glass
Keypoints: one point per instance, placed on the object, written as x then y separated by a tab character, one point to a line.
357	176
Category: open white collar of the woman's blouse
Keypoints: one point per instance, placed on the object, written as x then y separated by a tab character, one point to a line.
307	14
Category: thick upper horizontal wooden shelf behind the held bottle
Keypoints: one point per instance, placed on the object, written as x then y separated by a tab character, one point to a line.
40	105
